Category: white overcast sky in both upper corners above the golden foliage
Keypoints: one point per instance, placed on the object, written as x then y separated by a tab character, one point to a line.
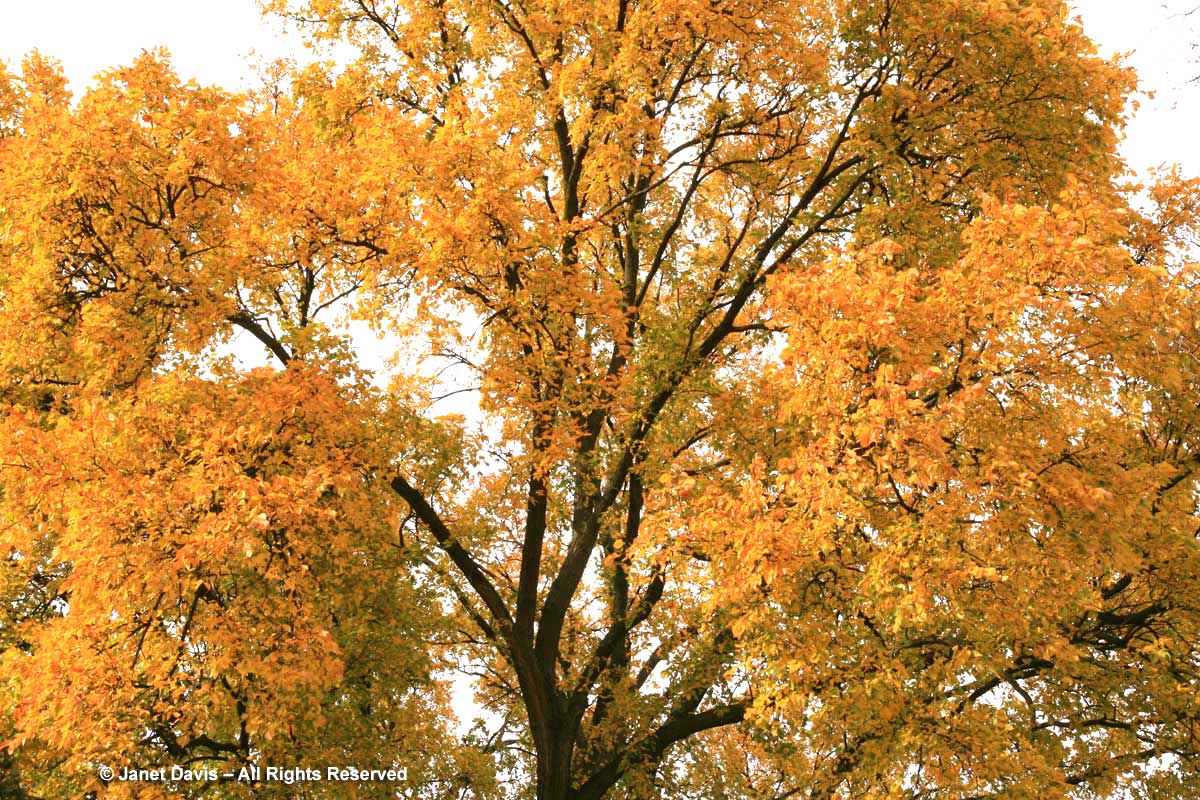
212	41
